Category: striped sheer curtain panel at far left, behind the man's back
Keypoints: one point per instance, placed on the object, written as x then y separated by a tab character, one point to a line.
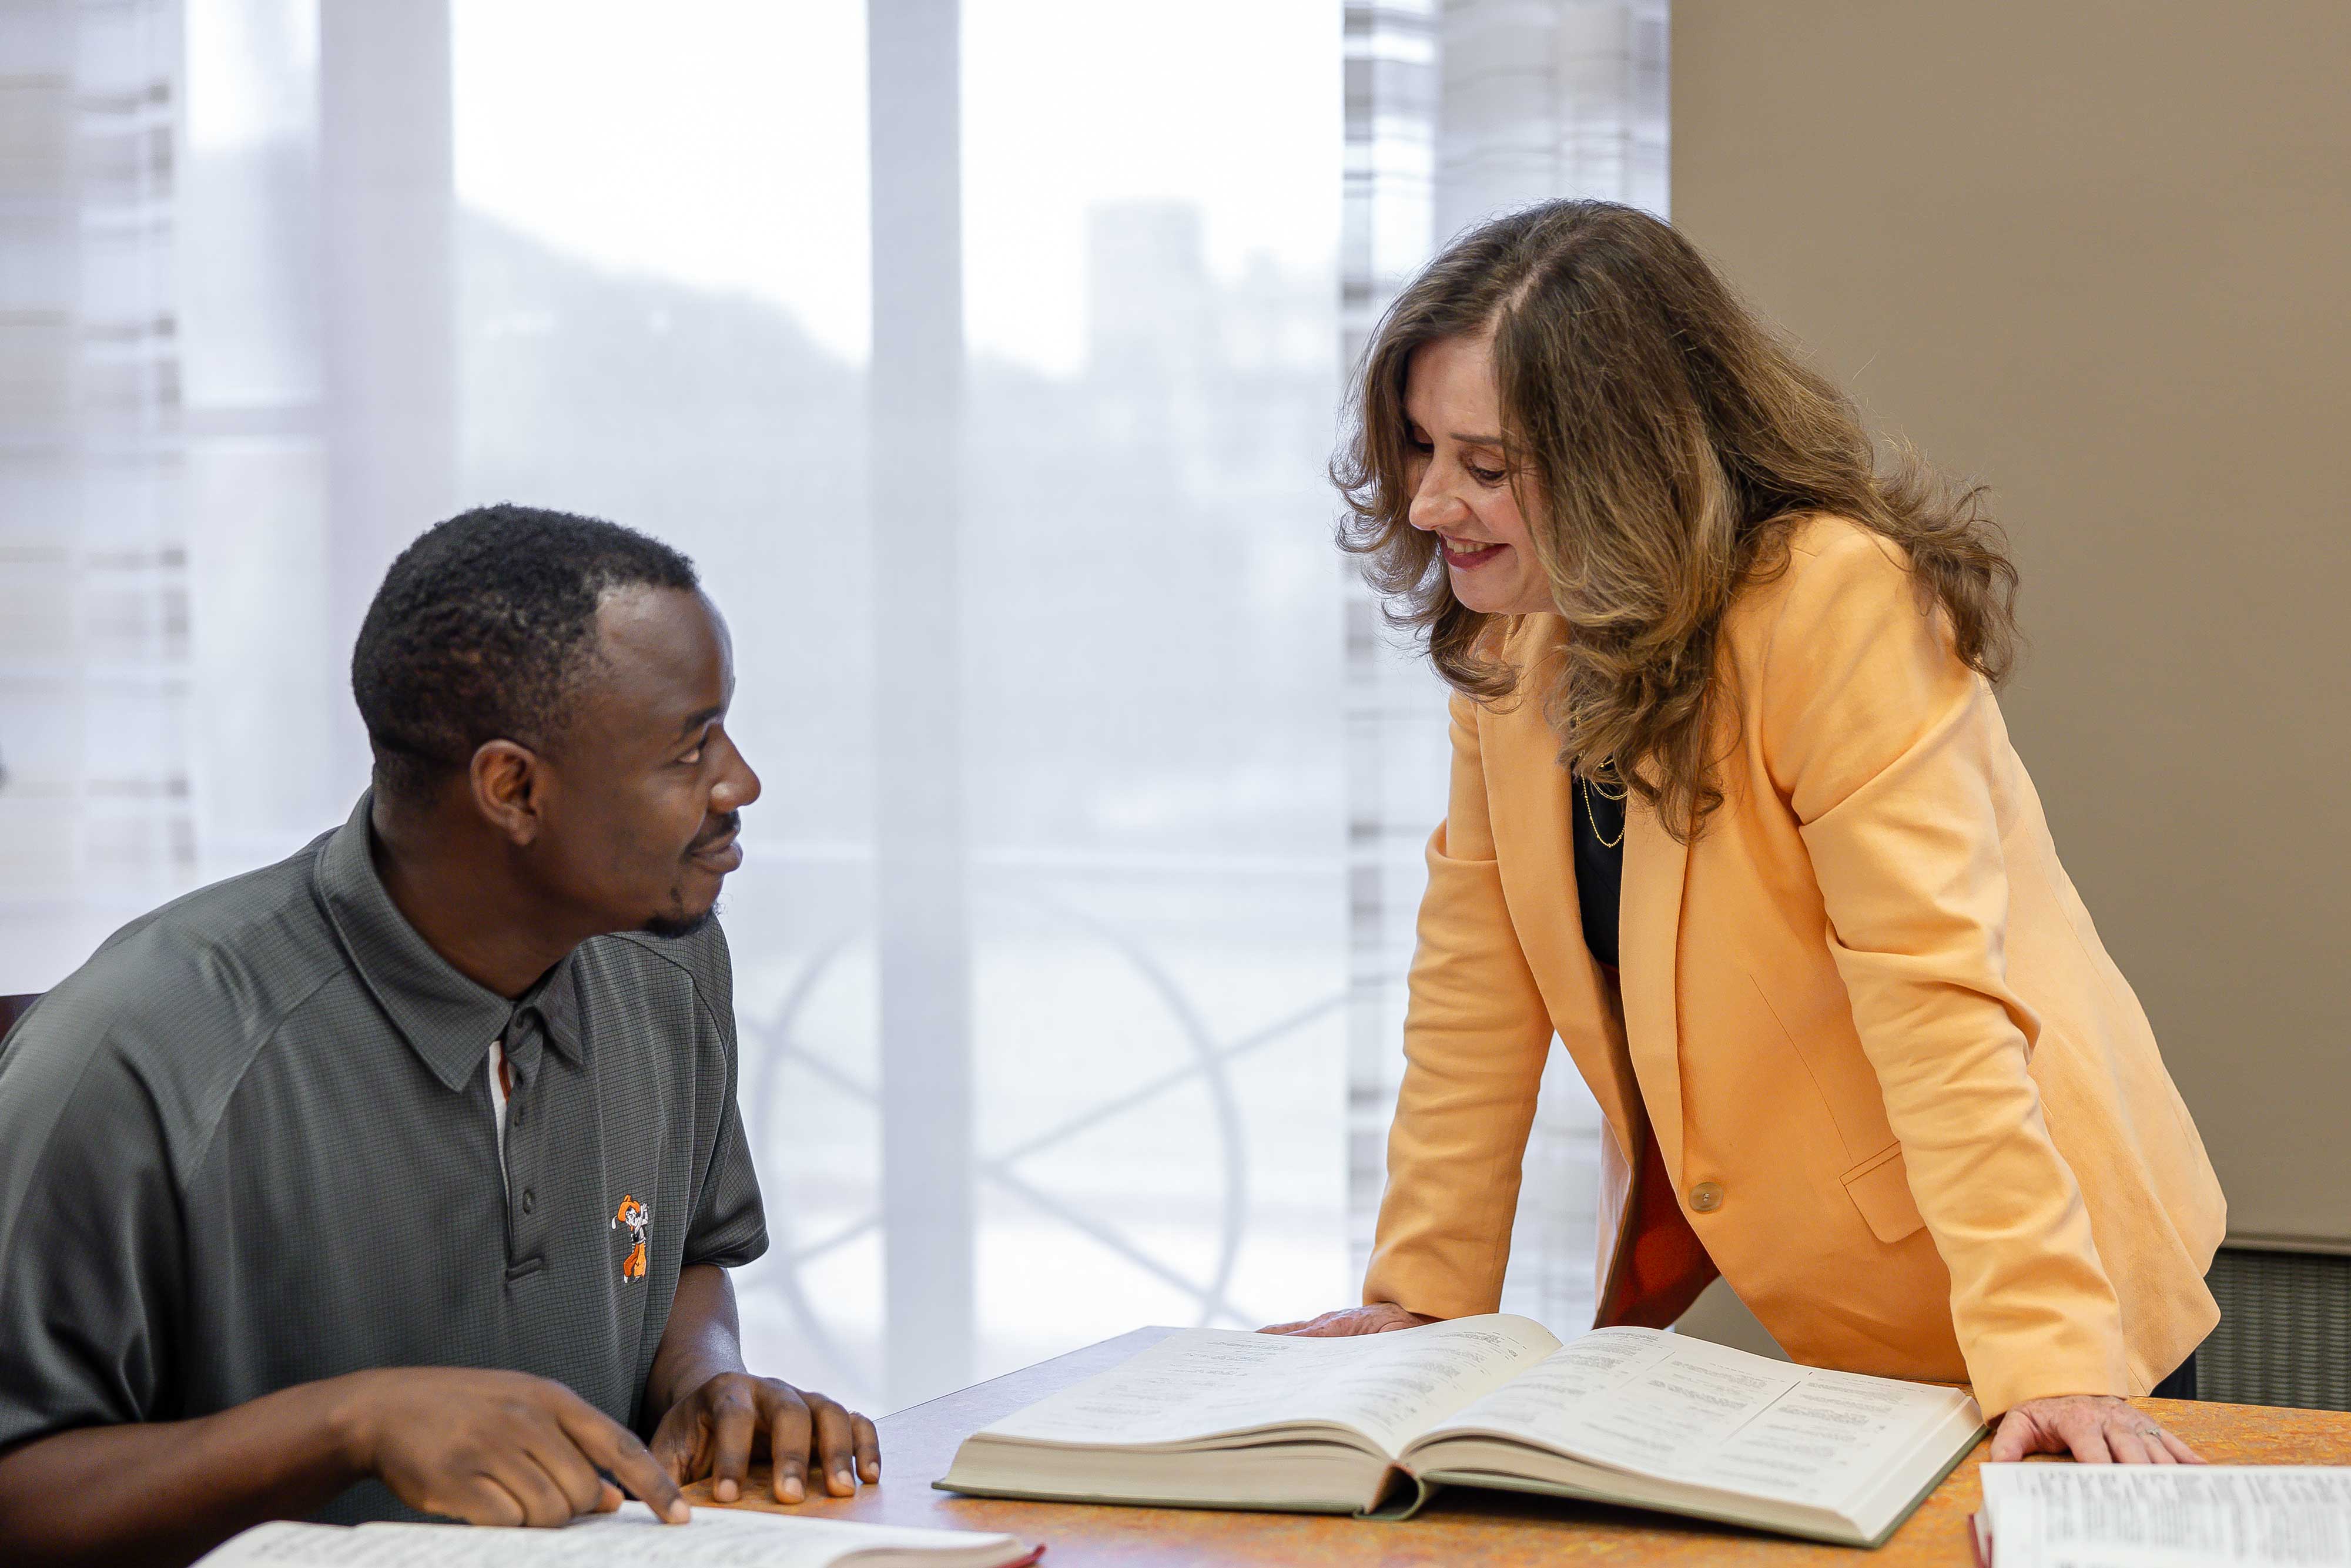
98	817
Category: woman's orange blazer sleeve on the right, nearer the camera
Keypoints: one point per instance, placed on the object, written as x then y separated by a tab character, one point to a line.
1889	751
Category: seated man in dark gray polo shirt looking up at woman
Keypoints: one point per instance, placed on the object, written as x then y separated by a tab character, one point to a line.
408	1174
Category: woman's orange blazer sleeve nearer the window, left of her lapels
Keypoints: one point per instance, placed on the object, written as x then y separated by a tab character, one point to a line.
1475	1040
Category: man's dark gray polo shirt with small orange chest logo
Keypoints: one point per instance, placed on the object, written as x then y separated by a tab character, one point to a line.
250	1144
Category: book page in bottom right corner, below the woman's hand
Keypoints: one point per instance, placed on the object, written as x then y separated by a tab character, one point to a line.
2169	1515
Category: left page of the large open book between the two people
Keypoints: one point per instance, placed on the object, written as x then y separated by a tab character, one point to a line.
1207	1381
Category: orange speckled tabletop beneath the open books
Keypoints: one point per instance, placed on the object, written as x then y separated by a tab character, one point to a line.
1461	1527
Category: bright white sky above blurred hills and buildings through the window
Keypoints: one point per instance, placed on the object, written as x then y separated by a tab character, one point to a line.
542	149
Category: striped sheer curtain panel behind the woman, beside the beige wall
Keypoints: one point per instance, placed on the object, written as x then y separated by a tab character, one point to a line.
1456	112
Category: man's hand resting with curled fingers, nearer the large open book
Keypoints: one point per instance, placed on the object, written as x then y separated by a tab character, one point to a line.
728	1419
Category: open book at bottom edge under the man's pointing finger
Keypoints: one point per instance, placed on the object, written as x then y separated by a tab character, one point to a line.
716	1539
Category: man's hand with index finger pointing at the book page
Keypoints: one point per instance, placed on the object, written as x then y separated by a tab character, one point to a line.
495	1447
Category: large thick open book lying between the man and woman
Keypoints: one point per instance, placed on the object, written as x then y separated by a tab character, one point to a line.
1224	1419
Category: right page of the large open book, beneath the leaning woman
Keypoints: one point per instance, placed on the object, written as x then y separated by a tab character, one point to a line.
1692	1412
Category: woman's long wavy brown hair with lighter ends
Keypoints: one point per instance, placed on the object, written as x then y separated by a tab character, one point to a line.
1663	445
